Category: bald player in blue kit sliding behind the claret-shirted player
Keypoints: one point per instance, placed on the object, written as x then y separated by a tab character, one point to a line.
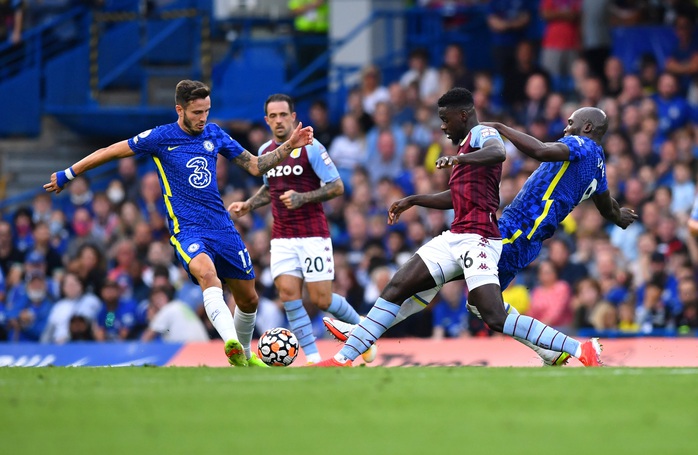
573	170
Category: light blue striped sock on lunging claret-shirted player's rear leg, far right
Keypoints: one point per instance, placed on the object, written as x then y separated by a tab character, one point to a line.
540	334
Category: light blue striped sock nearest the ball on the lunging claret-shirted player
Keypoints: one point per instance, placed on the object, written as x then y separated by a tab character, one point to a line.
370	329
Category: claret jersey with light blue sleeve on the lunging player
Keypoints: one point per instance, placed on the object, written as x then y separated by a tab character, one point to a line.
475	189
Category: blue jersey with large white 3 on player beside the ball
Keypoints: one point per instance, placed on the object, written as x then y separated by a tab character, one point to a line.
186	166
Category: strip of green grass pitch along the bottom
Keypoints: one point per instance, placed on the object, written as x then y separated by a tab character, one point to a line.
348	411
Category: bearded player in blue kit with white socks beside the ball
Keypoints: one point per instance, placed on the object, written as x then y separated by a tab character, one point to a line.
202	232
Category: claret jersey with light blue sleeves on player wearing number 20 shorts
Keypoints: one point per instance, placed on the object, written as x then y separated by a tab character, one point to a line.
304	170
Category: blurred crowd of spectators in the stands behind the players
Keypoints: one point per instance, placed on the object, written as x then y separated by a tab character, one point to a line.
98	265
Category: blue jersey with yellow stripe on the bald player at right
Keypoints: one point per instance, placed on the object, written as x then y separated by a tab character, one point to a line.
563	184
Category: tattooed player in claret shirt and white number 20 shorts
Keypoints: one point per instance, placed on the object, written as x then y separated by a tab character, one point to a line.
301	248
